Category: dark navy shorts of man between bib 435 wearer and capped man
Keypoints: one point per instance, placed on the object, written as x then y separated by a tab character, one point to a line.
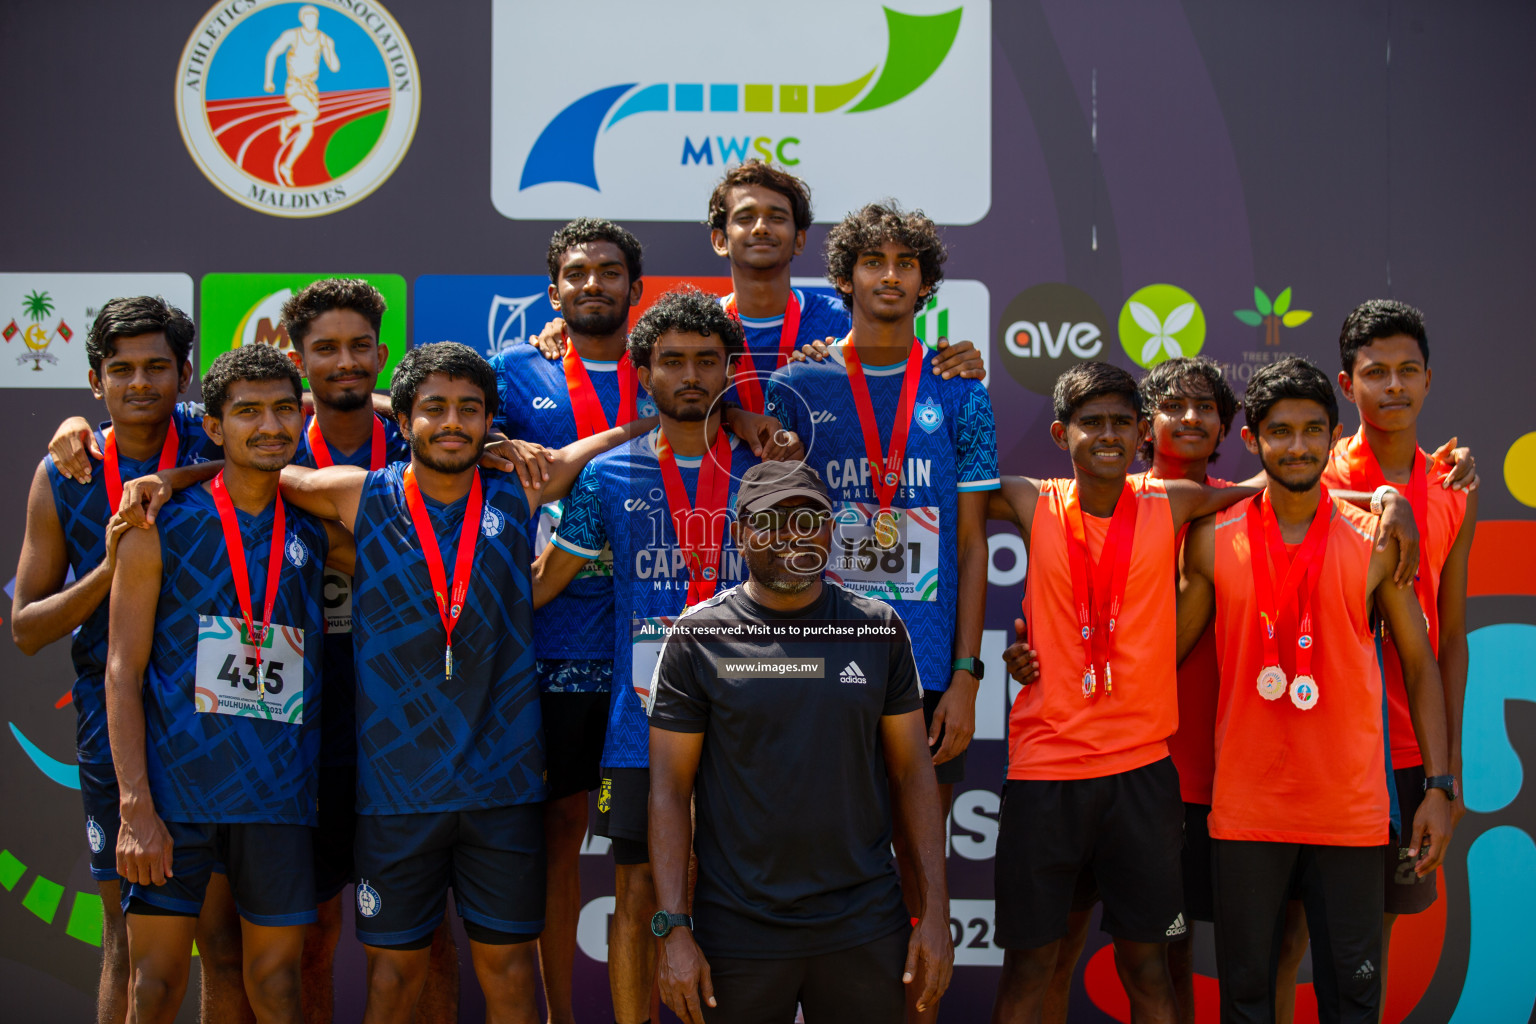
492	859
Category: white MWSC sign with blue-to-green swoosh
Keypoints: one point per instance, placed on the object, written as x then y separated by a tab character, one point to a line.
819	104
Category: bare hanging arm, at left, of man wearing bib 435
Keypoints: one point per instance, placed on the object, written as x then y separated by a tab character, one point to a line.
144	845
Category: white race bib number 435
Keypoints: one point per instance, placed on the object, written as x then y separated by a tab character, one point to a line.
228	681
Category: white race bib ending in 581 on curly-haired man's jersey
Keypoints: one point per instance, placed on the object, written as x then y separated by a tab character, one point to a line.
909	572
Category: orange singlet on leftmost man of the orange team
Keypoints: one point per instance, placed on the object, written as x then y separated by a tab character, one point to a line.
1054	730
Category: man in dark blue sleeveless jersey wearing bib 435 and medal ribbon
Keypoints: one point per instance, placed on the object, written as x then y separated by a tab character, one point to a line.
214	699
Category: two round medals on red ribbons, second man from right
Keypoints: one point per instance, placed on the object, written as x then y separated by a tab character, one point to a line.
1300	583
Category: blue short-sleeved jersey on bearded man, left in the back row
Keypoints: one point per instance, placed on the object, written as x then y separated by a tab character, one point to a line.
535	406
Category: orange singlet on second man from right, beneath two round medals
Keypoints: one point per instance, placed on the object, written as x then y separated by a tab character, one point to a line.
1283	775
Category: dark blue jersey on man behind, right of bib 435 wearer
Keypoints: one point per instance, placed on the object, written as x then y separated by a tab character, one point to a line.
339	730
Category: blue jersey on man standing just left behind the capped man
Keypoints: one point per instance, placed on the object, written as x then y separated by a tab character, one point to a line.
620	501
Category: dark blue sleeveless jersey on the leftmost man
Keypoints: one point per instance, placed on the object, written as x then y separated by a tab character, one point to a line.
82	512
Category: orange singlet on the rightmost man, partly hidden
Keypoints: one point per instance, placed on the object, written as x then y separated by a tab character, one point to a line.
1352	467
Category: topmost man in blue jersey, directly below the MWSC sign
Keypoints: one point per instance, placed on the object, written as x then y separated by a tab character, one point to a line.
758	219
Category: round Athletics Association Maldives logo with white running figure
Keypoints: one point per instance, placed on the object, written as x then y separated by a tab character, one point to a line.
297	110
